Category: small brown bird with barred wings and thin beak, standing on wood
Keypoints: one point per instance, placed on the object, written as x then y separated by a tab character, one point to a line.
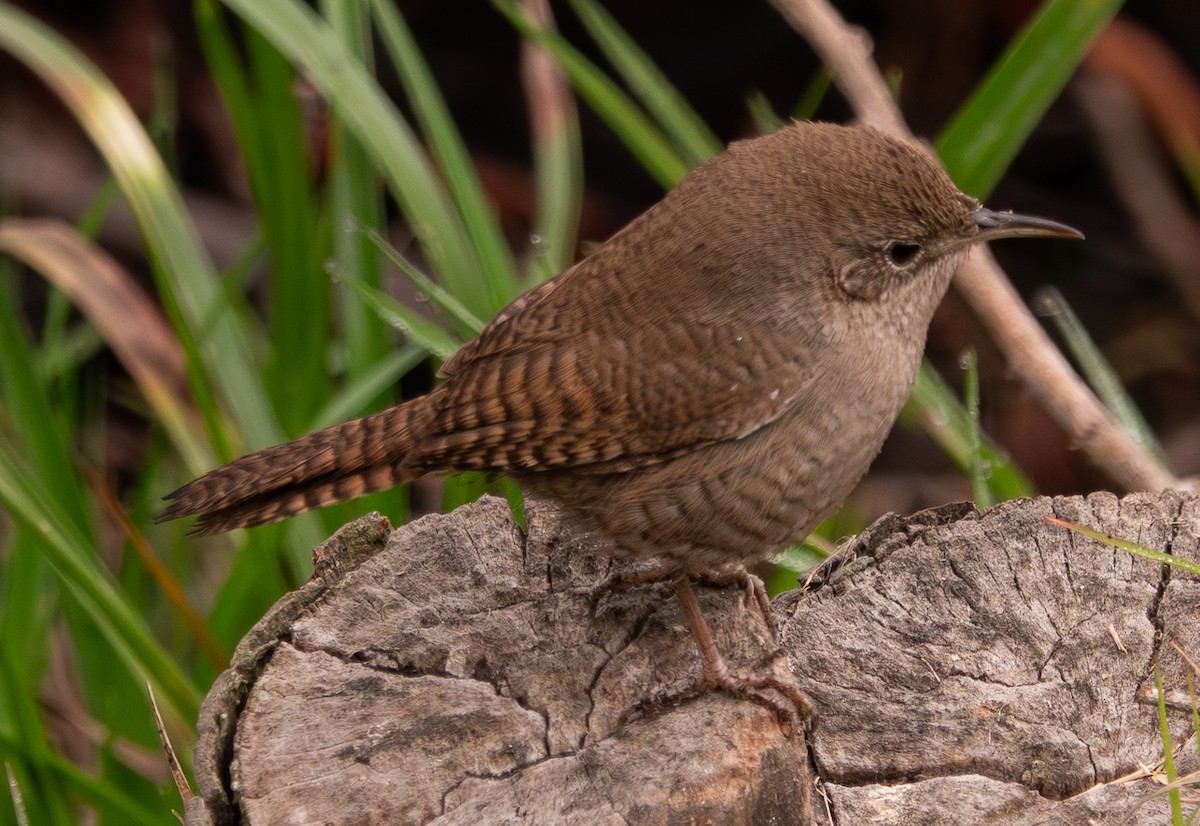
703	390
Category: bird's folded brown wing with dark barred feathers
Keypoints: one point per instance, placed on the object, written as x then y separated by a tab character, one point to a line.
609	398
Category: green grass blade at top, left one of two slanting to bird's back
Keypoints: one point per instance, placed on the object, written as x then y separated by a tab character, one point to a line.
645	141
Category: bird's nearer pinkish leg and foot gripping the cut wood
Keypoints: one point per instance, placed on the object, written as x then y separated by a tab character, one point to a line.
715	674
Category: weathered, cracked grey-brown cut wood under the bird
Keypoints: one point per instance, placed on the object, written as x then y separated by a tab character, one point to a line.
459	671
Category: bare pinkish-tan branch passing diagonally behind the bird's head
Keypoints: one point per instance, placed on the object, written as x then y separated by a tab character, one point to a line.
1031	356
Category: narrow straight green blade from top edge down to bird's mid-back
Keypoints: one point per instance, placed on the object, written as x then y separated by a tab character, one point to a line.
453	158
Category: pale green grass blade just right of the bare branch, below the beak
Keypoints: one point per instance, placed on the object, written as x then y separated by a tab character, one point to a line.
1099	372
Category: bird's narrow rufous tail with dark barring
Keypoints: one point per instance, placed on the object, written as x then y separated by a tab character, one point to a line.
326	468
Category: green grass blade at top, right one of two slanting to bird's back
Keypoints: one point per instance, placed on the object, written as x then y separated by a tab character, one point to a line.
695	142
